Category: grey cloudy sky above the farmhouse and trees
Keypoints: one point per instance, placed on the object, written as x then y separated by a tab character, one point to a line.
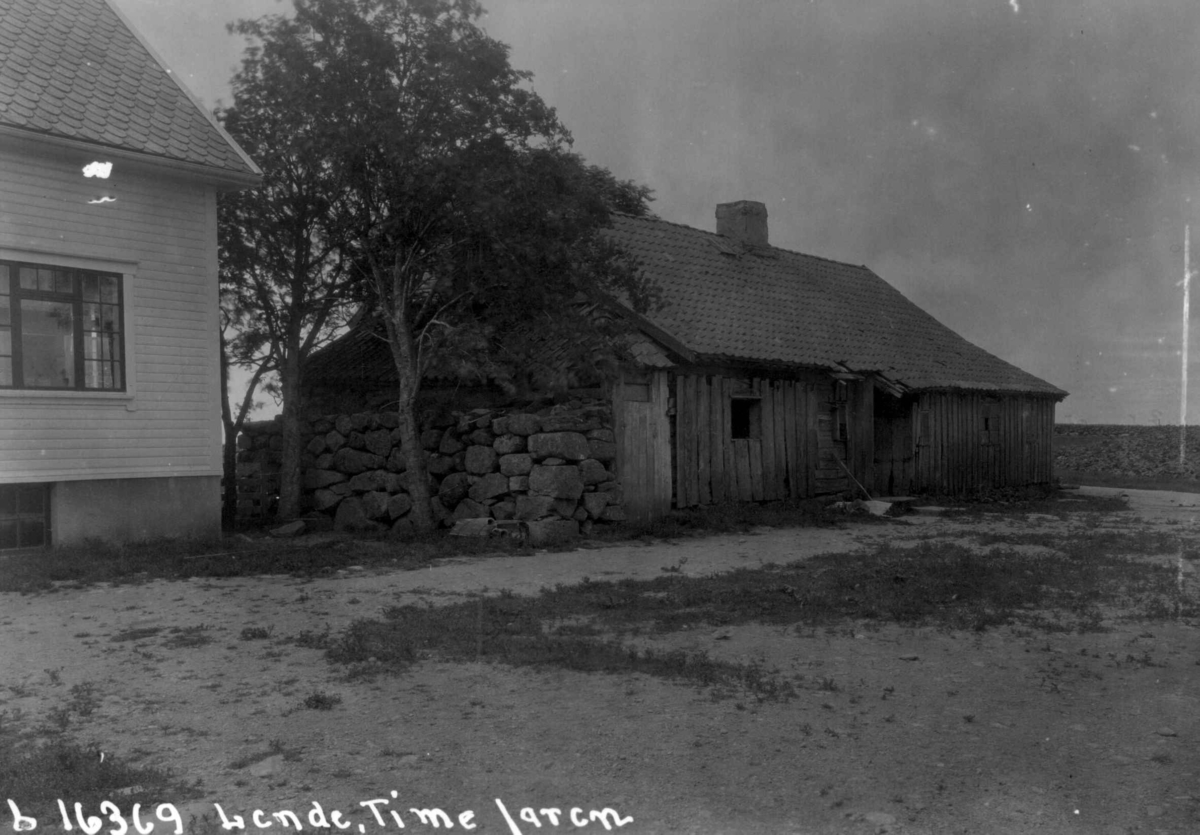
1023	171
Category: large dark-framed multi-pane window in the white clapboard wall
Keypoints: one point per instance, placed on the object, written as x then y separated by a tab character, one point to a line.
61	329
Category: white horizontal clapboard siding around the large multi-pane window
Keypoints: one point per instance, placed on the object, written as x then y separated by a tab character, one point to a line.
166	230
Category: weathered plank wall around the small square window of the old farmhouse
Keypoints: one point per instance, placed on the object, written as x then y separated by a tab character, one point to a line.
779	464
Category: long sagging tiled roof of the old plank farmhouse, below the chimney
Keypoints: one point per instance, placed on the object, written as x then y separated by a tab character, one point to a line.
728	302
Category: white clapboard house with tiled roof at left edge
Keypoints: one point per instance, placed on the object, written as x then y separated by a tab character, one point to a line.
110	386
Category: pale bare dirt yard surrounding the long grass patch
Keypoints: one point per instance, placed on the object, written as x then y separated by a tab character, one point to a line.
895	730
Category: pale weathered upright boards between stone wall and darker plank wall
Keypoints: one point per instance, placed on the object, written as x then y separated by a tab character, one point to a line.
644	444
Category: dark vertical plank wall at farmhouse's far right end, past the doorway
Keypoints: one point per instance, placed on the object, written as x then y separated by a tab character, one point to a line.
959	455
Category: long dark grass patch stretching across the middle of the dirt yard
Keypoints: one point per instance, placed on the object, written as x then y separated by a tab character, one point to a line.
944	585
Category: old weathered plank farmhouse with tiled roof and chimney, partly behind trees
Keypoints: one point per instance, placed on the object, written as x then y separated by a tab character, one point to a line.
773	375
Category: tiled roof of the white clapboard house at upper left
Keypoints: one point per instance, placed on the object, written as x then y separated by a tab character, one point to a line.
76	69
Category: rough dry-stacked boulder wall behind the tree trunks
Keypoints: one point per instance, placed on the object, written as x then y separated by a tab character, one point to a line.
502	464
